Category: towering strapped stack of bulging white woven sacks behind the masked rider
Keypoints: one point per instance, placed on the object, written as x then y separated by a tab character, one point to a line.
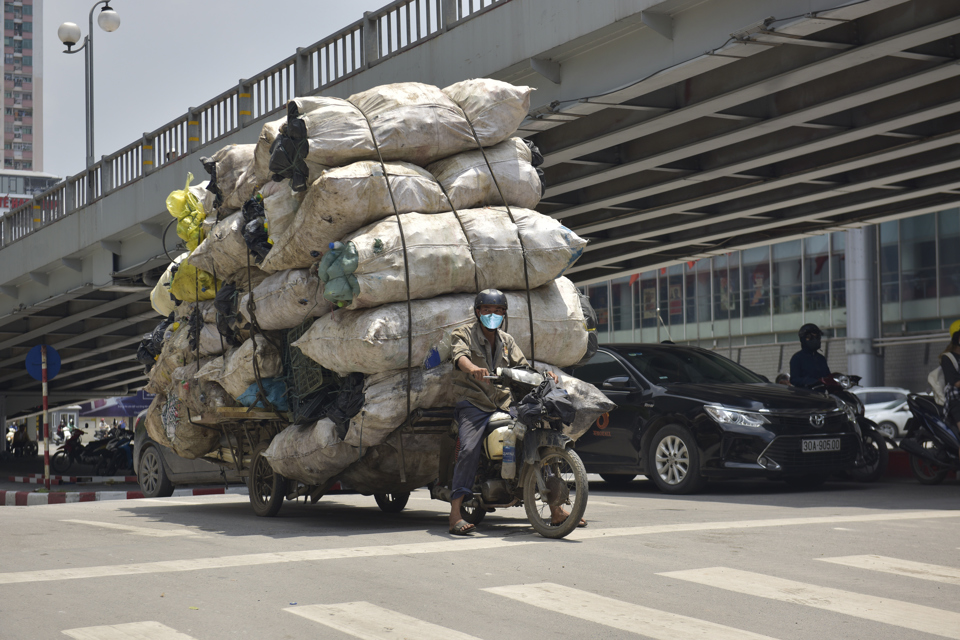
337	256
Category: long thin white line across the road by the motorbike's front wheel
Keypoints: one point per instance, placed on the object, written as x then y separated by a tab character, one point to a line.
441	546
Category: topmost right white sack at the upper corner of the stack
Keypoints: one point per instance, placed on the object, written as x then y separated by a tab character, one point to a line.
494	108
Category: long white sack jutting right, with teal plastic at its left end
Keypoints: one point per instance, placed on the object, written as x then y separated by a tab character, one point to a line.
444	257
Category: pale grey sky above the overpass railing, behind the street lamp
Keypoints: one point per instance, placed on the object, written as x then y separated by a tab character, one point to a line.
167	56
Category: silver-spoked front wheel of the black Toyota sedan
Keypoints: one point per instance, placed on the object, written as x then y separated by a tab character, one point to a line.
674	461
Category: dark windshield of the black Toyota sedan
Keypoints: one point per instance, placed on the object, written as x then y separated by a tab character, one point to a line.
679	366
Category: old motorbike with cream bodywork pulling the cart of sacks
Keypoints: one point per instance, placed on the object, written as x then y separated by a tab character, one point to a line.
525	461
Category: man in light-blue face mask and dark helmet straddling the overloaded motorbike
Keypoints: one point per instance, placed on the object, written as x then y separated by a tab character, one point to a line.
479	349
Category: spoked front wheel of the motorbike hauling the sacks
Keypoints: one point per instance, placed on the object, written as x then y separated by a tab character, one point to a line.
565	486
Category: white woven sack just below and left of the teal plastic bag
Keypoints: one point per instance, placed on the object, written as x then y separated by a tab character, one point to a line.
285	299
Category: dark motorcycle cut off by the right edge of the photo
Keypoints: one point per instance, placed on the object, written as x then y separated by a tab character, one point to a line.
931	442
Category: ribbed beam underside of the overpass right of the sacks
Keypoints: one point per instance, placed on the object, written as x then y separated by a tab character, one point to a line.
831	125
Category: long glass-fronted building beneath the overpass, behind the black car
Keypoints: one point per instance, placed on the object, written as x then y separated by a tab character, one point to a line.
762	295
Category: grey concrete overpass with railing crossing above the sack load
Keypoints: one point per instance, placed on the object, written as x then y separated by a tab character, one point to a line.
672	130
